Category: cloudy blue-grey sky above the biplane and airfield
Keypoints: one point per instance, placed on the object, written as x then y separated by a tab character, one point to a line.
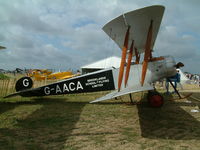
67	34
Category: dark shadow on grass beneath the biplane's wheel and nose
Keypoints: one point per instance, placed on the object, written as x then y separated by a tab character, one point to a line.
169	122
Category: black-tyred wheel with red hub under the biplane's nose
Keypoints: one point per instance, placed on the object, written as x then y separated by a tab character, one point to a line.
155	99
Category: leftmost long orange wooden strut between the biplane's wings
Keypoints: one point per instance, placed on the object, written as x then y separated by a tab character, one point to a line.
123	59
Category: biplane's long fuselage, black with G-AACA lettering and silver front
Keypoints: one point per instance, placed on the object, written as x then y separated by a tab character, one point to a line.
105	80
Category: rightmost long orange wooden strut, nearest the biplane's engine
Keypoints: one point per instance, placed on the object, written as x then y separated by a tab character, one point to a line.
147	53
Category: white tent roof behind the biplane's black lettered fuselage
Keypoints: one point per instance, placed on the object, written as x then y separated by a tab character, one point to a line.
102	64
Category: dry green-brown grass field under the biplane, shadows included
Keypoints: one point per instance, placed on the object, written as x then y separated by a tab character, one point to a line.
70	122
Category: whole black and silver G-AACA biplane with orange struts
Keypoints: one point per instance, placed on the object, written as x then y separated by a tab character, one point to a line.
135	33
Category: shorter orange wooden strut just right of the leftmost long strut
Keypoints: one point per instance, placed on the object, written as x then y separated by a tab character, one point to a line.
130	55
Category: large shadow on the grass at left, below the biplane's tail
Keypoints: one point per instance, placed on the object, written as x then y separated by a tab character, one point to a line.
40	131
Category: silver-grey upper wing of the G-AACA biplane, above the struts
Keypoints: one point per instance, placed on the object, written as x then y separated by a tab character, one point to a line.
139	22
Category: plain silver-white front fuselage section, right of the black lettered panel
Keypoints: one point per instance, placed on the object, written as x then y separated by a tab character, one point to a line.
156	71
